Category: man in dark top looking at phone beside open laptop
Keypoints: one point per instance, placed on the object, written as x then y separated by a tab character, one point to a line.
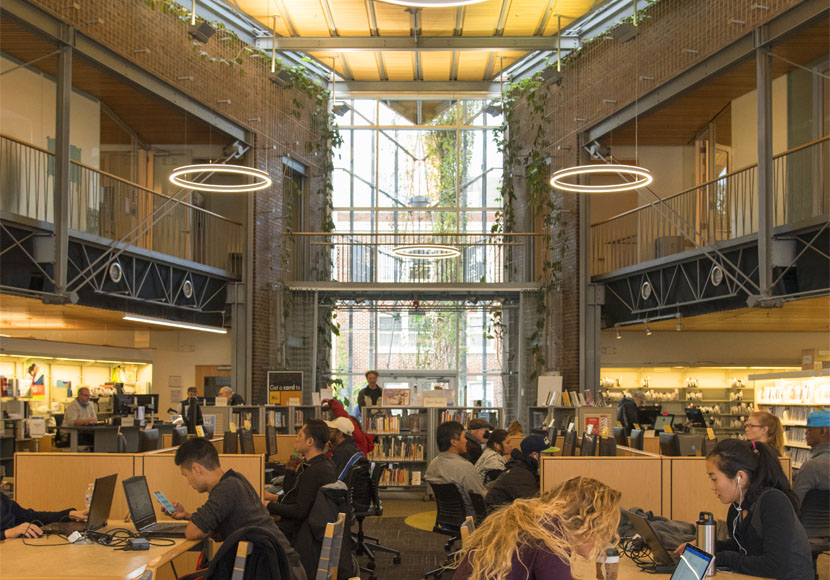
232	502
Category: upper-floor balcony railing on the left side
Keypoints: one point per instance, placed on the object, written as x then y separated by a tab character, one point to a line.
111	207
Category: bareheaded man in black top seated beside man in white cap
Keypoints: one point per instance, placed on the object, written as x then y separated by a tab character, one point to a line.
301	486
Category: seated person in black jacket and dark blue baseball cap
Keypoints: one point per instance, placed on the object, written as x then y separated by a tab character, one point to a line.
521	478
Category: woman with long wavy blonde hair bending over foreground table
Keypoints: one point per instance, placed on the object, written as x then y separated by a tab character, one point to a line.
536	539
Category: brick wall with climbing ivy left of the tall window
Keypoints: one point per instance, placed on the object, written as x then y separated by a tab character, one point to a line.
257	105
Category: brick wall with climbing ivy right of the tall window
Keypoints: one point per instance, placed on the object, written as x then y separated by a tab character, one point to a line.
609	70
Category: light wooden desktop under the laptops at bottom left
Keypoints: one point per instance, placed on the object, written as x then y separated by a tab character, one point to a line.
28	562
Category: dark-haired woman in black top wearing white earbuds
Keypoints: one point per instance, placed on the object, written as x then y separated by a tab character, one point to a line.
765	535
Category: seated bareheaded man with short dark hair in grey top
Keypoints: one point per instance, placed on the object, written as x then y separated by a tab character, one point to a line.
450	467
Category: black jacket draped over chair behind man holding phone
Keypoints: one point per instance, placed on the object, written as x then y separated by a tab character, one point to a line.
267	560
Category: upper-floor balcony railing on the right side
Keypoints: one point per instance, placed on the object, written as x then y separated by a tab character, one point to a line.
723	209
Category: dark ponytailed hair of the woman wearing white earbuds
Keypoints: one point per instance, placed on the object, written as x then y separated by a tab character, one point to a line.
759	462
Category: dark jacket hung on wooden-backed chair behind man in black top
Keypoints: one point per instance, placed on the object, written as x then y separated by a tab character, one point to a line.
331	500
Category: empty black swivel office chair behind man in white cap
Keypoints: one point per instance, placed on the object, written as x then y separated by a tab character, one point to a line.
365	502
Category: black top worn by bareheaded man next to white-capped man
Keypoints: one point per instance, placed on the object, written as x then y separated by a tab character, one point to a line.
300	492
